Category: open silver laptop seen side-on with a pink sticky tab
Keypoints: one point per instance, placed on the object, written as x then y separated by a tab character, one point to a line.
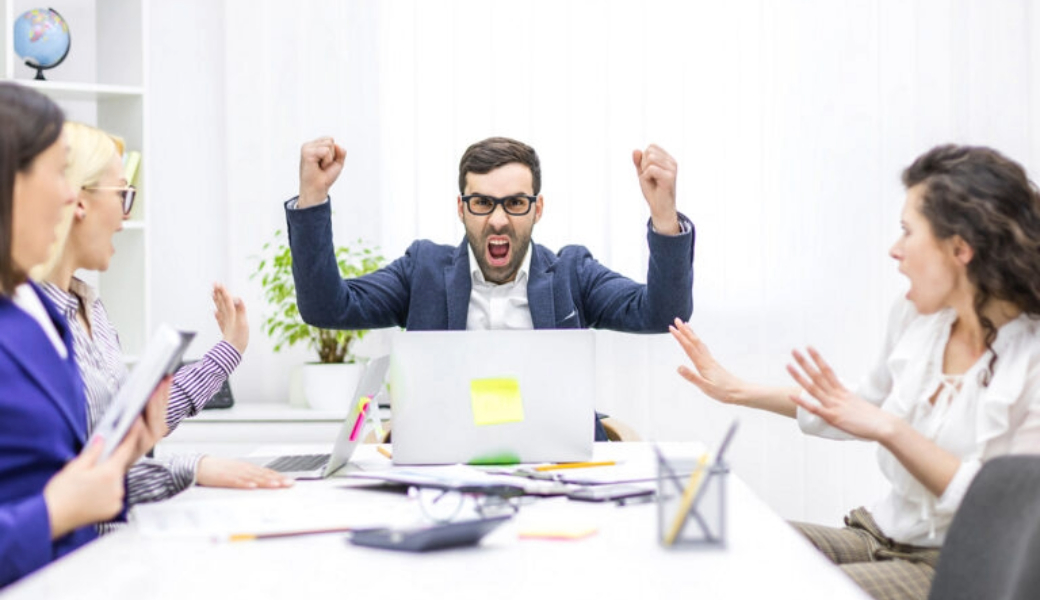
322	466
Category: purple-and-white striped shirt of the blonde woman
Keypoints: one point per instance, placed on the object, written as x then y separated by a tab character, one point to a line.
100	361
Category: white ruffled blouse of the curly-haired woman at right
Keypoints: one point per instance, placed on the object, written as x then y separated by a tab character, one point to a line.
973	422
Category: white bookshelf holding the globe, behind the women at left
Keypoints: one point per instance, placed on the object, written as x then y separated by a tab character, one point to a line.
102	83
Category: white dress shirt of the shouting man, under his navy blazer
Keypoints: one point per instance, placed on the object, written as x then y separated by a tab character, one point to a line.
500	306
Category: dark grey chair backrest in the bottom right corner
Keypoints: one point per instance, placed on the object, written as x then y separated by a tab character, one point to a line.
993	549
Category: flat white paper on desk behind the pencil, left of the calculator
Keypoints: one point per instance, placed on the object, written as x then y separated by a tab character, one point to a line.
266	512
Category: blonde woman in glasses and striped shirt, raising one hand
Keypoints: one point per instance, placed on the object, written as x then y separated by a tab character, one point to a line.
103	202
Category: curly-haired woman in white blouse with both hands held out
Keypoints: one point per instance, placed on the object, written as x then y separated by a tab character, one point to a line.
959	379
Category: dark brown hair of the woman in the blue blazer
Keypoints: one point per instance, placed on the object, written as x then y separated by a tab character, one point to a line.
30	124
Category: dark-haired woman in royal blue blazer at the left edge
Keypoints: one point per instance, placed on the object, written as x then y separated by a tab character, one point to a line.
53	487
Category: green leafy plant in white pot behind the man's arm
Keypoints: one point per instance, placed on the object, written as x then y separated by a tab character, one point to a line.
324	385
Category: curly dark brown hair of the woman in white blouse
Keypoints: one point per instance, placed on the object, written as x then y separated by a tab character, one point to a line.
986	199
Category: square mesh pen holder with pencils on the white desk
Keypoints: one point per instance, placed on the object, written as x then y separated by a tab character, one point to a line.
691	504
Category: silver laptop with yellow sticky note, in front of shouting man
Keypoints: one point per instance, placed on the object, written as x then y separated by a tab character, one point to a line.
492	397
